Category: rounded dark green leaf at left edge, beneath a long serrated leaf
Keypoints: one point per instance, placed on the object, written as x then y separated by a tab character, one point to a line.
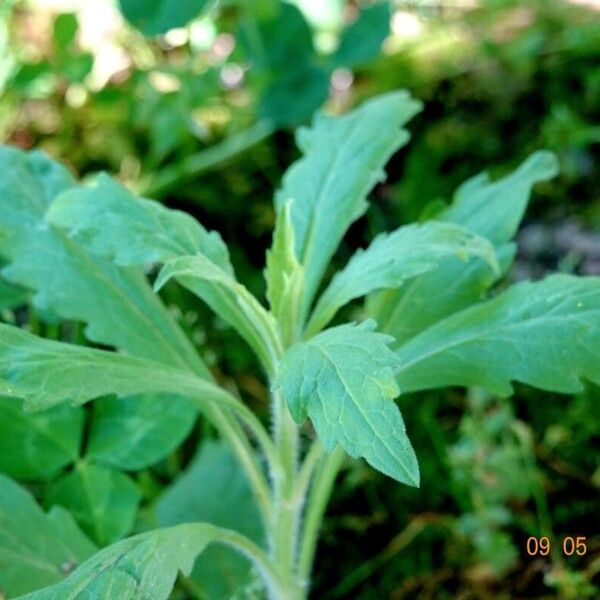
37	446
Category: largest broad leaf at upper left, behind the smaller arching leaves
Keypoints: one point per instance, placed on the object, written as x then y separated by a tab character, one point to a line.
117	304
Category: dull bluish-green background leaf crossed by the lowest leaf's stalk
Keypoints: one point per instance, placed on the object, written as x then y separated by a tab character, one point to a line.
214	489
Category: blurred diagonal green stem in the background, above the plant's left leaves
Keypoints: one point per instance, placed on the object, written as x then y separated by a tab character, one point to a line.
177	174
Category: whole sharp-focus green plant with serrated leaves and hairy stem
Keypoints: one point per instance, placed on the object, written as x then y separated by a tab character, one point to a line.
83	250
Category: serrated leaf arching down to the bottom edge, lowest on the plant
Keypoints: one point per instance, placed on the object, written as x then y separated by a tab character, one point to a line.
144	566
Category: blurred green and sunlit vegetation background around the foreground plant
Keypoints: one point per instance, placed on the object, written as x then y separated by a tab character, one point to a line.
202	118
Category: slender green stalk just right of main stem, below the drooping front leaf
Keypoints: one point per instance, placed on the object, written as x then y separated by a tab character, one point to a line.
318	498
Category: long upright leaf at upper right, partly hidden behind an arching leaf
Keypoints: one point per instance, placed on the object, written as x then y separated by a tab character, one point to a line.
490	209
